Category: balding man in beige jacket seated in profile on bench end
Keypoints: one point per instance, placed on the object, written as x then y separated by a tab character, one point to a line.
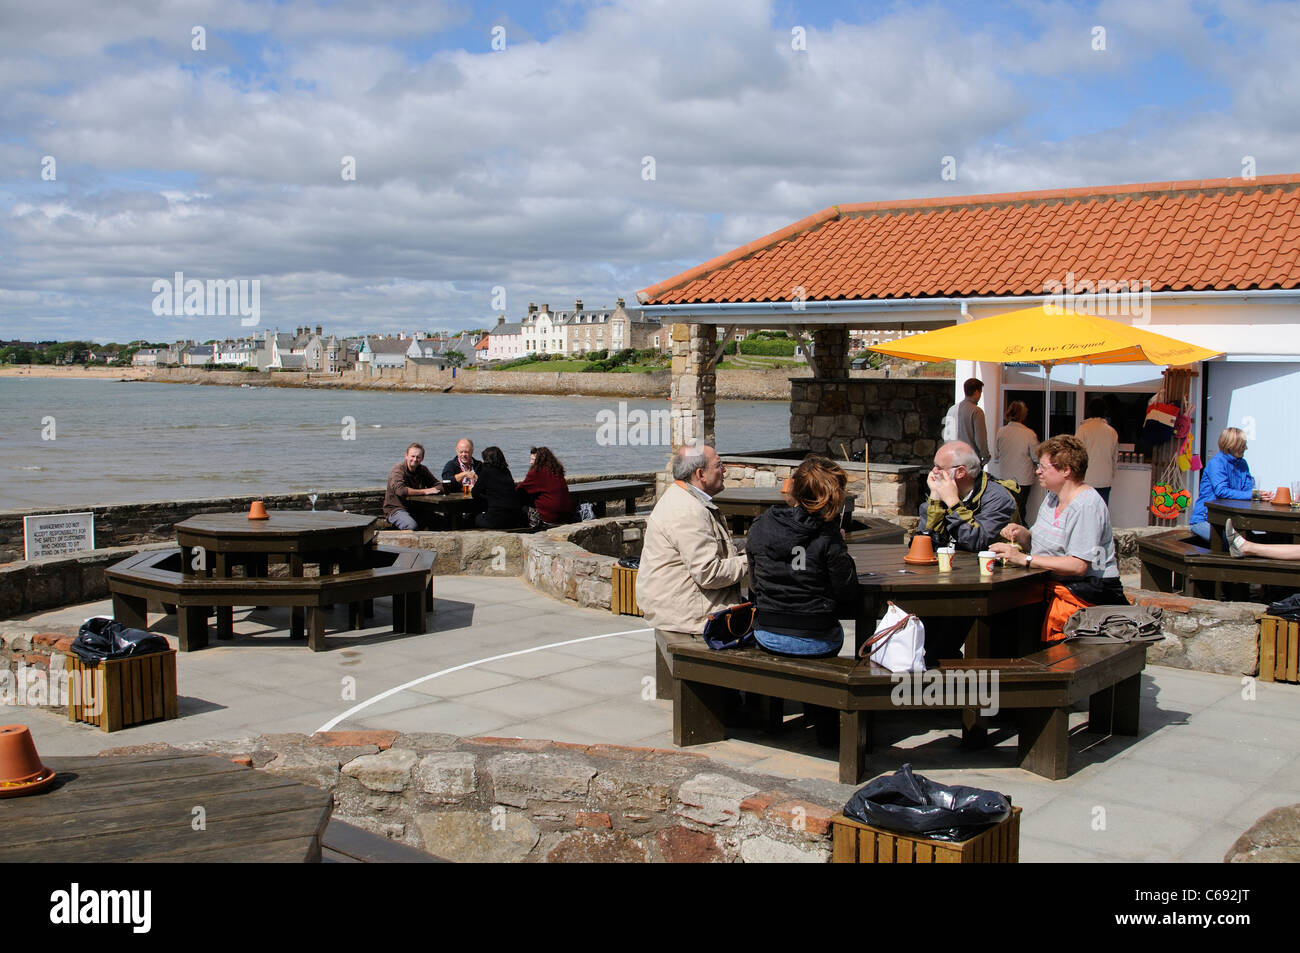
690	565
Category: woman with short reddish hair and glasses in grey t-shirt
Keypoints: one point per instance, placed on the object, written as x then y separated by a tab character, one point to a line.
1072	538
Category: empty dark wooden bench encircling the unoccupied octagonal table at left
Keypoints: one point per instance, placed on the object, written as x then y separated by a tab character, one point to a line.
404	574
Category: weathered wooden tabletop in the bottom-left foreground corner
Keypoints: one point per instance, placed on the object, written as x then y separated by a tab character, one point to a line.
146	809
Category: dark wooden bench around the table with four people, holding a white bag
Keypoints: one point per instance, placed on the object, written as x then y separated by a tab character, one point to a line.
1041	688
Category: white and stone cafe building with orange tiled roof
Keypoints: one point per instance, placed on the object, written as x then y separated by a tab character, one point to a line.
1214	263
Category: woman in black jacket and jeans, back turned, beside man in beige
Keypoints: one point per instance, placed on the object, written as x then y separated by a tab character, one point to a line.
803	579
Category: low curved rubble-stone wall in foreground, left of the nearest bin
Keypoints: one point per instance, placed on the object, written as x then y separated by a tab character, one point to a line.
495	800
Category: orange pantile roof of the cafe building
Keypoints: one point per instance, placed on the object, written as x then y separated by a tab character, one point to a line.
1215	235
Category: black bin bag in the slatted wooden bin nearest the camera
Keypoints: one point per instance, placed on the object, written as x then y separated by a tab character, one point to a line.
913	804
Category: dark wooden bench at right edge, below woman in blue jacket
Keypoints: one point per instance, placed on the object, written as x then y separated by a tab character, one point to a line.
1177	562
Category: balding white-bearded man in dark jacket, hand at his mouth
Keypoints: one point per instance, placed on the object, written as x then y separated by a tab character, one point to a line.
967	508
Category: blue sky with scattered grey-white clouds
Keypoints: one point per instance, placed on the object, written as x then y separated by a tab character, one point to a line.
418	166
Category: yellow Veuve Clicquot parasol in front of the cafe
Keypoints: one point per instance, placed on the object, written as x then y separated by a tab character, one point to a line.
1039	336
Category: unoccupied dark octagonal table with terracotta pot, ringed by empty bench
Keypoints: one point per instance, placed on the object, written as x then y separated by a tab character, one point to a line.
298	536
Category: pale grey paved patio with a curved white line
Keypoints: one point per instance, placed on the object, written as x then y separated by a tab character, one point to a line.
1208	764
